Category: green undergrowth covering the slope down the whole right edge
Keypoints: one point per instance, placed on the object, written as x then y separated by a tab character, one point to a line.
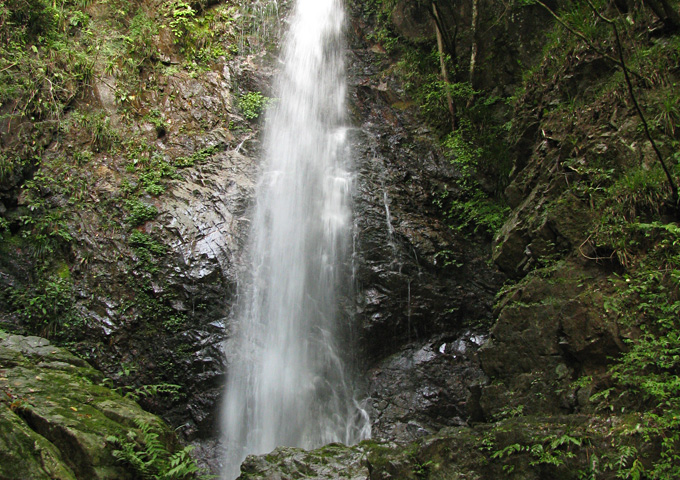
635	234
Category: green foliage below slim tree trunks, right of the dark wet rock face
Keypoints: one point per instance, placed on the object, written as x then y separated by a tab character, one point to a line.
478	146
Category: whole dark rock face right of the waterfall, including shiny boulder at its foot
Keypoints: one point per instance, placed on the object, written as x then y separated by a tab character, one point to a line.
420	283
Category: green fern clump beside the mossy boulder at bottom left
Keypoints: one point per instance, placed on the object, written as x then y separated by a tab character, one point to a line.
148	456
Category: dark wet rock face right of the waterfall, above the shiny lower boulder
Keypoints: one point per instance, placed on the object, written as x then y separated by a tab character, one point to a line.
416	276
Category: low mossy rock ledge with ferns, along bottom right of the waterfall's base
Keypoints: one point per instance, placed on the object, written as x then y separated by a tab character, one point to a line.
558	447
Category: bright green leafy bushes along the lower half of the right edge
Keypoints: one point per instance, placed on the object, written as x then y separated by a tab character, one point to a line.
647	374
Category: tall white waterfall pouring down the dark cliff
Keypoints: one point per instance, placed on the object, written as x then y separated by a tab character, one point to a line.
288	384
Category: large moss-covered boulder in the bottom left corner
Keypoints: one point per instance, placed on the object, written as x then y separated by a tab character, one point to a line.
55	416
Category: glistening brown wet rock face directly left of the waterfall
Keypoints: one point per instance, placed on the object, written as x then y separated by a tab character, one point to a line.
164	321
